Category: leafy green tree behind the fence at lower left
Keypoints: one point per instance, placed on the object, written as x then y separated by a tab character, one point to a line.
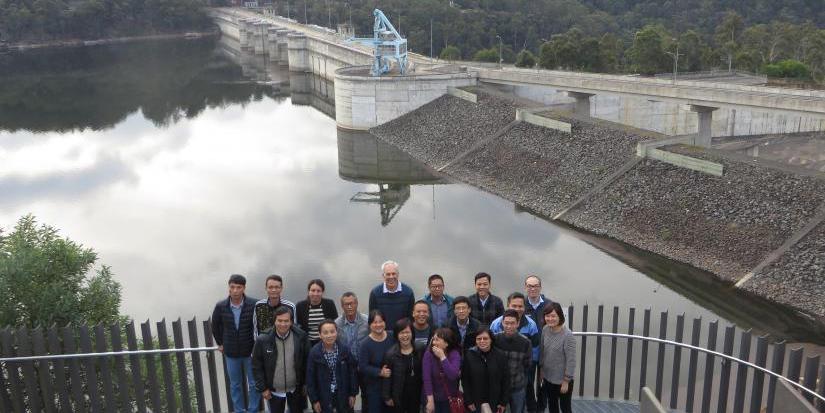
46	279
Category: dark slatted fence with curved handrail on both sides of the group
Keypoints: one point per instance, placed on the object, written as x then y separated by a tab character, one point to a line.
690	365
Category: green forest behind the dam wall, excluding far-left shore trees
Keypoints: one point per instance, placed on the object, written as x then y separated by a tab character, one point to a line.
784	38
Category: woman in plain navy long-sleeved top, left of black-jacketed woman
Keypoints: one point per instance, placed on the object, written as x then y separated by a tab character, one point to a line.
371	361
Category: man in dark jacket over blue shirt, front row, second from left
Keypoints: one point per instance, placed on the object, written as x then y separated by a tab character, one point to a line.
330	380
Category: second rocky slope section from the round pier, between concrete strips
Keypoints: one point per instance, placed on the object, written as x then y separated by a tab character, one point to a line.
545	169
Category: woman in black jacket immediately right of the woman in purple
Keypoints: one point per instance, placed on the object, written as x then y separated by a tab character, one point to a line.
482	376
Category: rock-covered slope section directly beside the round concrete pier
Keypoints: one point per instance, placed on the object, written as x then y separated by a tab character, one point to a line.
442	129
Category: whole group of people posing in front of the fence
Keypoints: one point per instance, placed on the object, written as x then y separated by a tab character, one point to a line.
405	354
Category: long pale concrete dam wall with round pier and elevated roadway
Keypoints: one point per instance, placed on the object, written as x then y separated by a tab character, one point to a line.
323	52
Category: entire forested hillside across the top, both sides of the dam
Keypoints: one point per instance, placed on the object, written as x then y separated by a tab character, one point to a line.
783	38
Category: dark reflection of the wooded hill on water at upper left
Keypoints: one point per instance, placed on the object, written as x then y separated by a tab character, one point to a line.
99	87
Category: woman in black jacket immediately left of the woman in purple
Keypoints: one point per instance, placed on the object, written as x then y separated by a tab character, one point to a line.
402	390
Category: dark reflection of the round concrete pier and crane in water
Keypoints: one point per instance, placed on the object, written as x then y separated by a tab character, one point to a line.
362	158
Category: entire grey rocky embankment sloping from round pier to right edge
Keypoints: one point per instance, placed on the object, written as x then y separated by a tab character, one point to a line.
726	225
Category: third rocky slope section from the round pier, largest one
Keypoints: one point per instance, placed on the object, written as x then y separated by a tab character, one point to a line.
724	225
